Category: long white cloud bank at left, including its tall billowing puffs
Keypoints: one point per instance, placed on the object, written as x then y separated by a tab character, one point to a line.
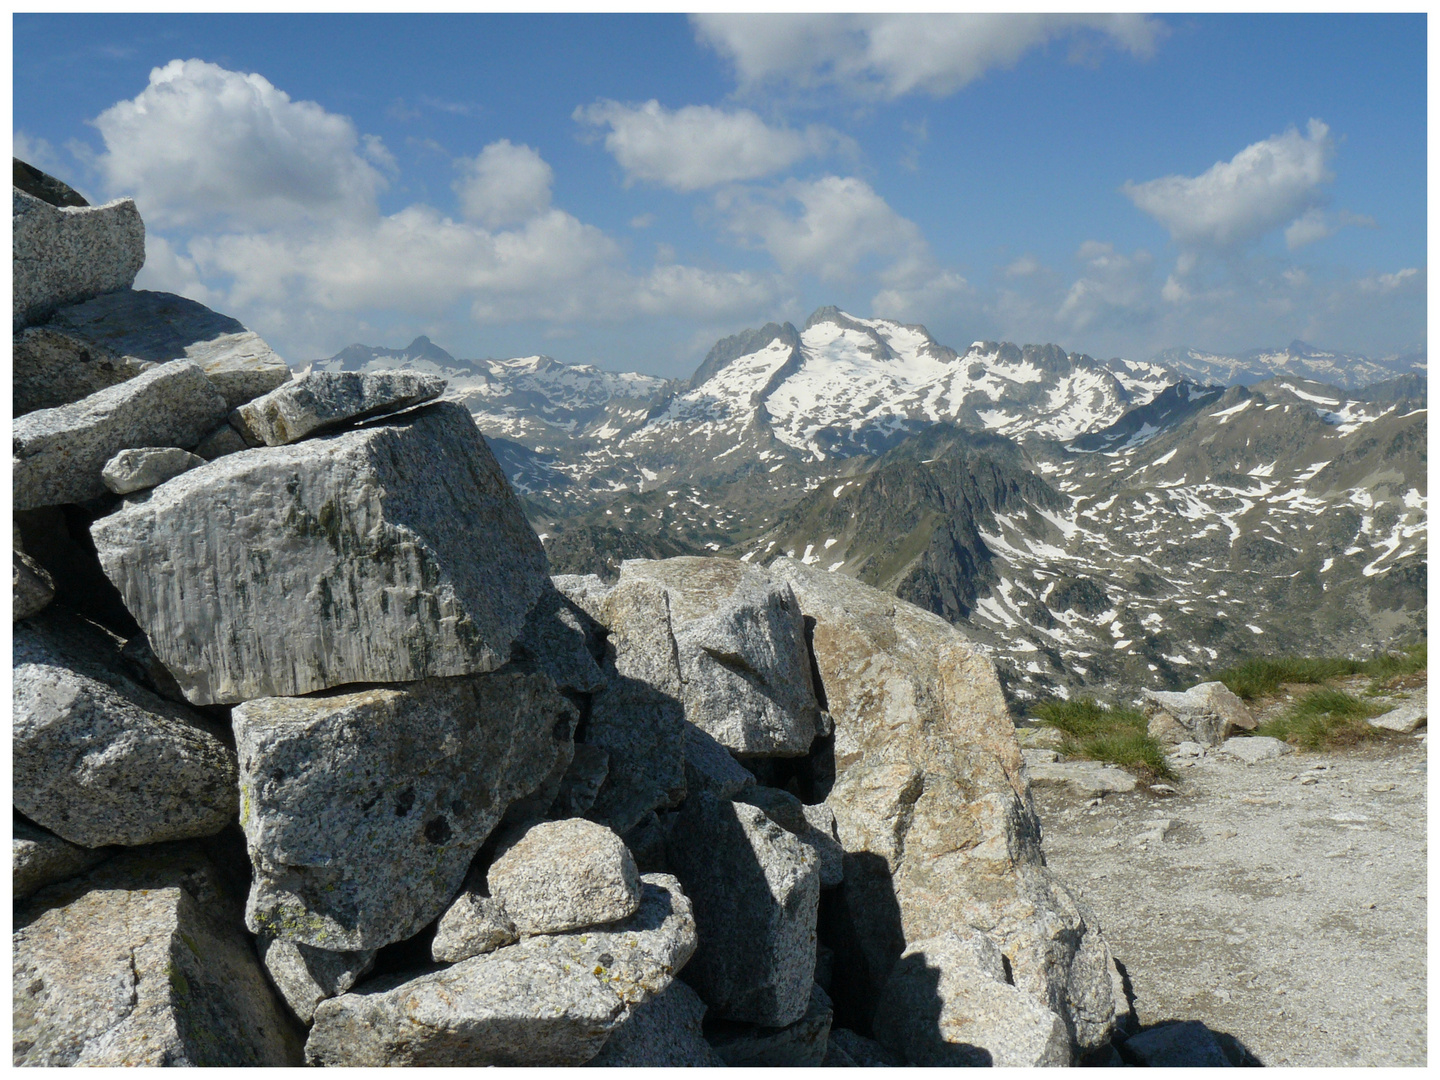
269	210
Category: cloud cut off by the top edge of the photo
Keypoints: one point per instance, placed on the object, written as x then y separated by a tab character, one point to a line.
891	55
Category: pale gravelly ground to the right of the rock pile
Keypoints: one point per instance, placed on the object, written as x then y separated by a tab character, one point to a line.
1287	914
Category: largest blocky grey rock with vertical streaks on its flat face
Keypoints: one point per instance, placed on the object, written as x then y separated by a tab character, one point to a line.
355	558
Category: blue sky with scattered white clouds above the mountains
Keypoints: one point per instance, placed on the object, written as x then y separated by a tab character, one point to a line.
627	189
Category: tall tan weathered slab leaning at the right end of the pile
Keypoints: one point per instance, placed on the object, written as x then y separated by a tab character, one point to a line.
934	810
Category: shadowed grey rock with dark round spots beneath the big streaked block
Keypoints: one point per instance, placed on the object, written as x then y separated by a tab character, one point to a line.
364	810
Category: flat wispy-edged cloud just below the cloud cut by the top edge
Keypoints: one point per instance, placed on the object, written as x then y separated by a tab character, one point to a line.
701	146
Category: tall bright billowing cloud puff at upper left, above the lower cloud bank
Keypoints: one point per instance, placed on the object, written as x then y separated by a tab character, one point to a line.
204	143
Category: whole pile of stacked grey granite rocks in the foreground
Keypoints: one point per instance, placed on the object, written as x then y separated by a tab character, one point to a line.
316	764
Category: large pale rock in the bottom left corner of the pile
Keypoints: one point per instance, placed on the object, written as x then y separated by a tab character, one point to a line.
143	963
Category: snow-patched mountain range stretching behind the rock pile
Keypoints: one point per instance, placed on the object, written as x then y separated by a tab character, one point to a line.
1092	522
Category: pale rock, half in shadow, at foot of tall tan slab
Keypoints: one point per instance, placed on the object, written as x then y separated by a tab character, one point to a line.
948	1004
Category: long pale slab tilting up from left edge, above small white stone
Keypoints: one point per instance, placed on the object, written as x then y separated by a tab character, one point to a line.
60	453
